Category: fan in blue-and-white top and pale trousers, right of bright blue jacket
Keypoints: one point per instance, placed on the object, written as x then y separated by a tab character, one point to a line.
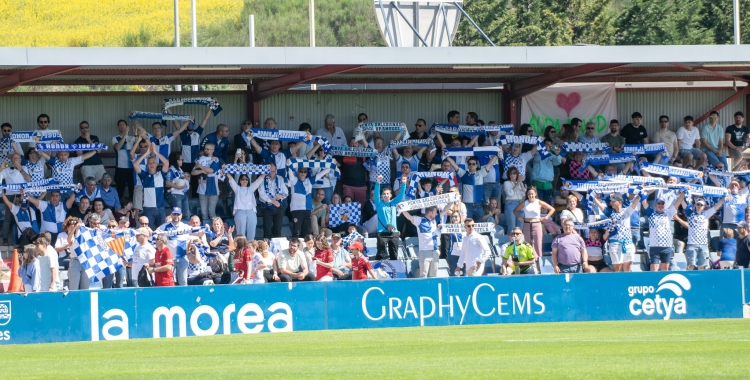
429	247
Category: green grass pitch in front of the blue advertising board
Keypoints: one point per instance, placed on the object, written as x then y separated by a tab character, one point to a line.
705	349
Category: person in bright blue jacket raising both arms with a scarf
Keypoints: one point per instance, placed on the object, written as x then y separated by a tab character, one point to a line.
386	209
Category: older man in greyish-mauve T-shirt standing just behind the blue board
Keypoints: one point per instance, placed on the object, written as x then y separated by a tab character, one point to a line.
569	250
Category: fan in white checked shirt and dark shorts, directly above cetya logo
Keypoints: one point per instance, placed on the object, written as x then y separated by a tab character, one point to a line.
661	237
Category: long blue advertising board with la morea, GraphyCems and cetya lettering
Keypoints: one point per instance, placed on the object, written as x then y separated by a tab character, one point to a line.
243	309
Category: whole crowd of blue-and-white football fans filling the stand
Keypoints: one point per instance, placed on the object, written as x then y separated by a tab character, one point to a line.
519	188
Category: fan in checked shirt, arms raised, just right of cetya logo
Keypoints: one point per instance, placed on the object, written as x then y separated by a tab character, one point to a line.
697	225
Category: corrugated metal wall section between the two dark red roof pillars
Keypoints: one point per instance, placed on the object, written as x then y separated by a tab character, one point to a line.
290	110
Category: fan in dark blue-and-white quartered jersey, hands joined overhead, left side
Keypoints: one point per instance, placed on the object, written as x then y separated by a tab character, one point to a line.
153	186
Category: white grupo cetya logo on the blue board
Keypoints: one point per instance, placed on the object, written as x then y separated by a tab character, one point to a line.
664	300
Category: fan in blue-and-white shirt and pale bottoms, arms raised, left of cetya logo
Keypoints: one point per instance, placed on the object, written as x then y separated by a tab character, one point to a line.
621	247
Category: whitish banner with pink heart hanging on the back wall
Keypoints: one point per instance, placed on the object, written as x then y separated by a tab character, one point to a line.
557	105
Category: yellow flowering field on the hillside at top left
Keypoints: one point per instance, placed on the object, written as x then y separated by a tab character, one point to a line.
104	22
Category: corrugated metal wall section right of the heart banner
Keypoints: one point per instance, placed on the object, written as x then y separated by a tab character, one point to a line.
676	104
